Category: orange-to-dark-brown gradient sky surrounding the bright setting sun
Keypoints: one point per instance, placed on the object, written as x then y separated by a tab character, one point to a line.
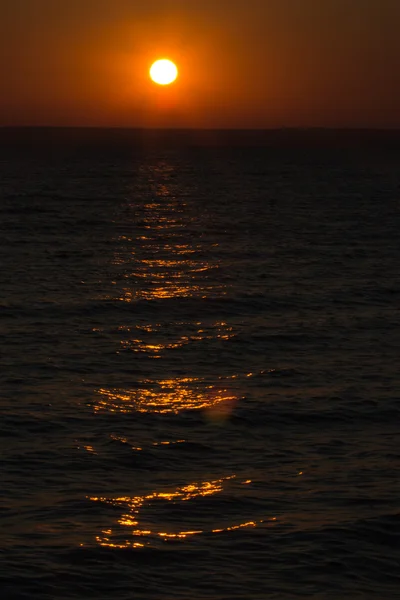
243	63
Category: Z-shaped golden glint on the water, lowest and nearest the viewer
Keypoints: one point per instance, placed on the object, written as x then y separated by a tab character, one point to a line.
142	533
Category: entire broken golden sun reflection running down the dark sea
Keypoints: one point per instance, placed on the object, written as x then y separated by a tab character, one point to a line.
166	257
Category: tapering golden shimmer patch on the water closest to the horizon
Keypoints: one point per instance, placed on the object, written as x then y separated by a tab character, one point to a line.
166	257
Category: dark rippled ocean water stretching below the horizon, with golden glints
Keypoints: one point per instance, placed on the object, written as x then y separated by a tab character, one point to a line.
199	365
